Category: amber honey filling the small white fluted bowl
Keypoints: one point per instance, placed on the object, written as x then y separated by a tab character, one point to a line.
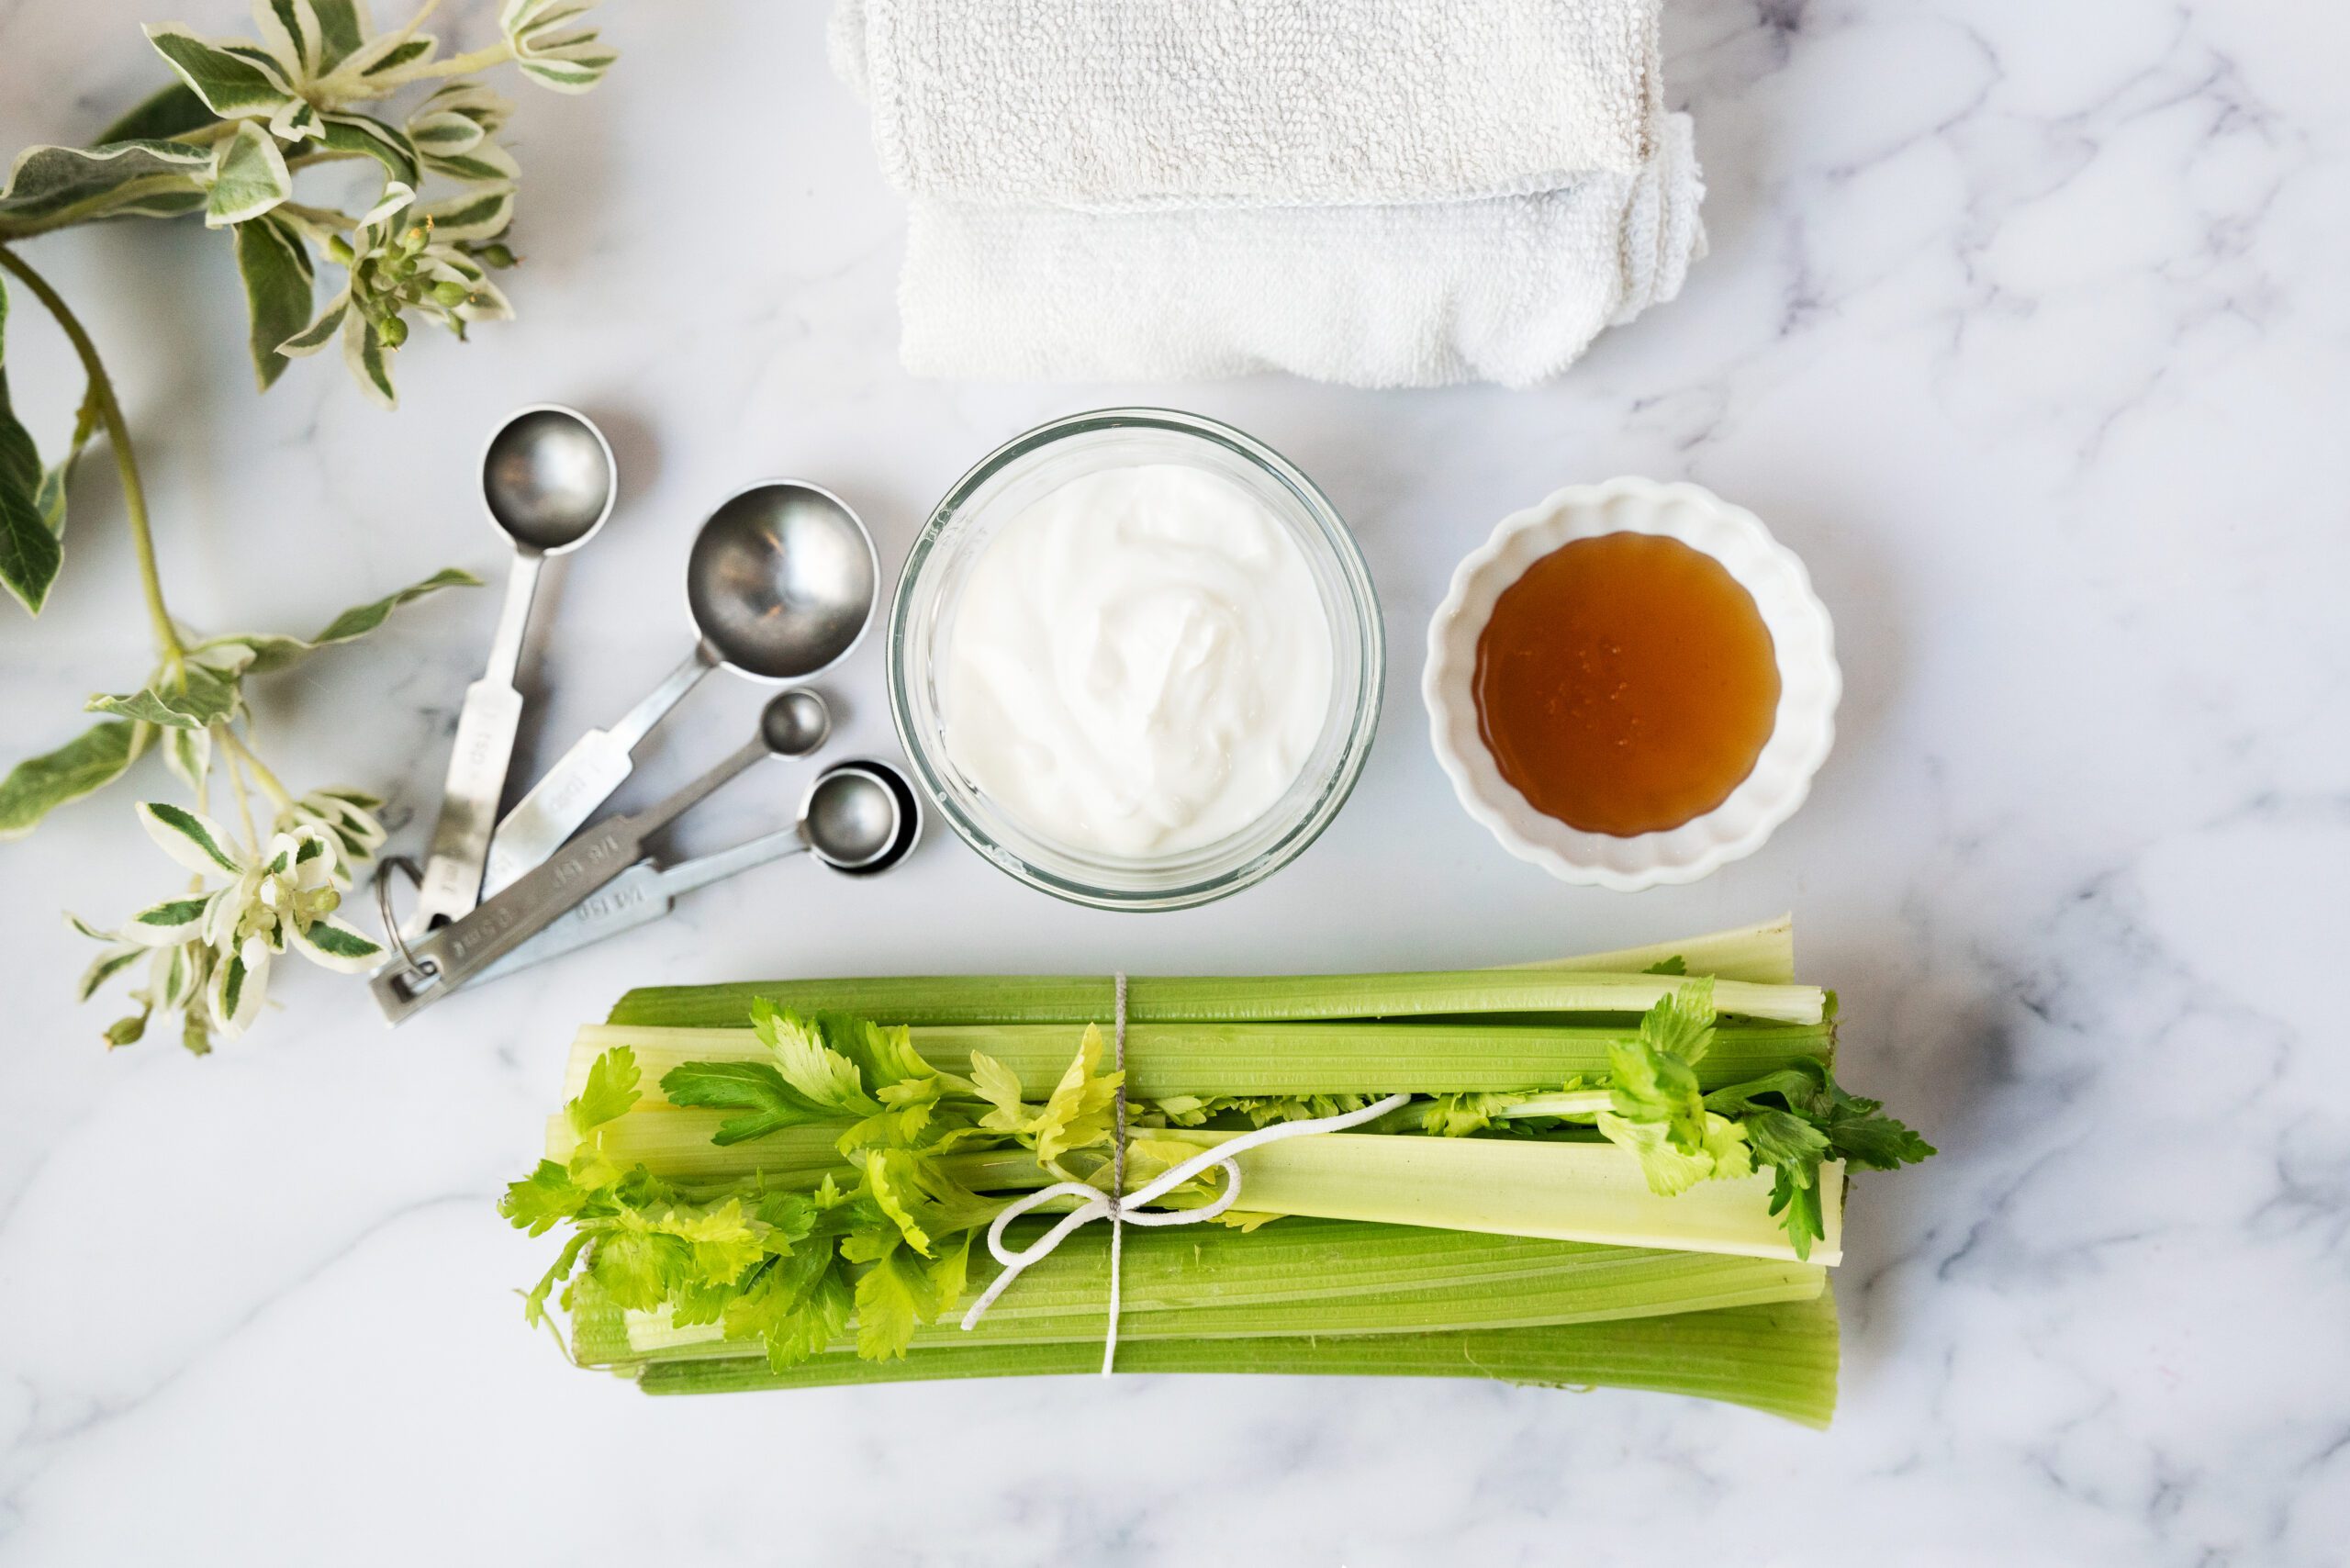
1625	685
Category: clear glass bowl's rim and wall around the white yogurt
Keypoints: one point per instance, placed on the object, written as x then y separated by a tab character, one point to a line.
998	490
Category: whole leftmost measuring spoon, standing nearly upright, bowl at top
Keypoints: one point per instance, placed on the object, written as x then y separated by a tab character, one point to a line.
549	485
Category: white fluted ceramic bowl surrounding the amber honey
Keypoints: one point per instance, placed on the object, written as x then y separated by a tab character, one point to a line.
1804	730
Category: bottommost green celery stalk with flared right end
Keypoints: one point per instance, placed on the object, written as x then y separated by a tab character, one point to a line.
1778	1360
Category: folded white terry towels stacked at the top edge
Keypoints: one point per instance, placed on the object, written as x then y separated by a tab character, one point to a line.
1359	192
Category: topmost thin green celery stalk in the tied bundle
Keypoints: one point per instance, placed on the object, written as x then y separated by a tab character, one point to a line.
976	1000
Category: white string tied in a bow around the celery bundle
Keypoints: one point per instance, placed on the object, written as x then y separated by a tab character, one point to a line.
1122	1207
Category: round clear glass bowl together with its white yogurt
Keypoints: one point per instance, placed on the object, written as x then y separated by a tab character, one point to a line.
1136	659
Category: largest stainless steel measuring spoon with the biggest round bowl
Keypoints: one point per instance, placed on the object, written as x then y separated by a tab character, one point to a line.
781	587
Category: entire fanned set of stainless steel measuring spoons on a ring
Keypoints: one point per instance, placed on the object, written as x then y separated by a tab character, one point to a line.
781	584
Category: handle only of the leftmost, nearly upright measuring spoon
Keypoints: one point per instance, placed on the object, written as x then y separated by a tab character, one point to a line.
478	763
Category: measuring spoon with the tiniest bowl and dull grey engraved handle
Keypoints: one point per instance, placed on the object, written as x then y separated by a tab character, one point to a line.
793	725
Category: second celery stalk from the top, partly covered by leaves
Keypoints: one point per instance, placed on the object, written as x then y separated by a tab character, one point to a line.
1263	1059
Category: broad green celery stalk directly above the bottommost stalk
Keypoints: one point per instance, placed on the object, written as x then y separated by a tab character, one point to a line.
1294	1278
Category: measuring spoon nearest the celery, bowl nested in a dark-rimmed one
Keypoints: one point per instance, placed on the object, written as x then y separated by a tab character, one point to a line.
859	819
